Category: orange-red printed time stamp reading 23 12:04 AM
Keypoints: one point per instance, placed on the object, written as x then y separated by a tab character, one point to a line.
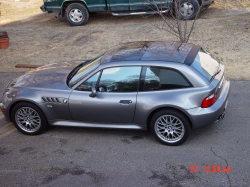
211	169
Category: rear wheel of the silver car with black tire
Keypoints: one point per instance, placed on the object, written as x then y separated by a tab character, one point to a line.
179	127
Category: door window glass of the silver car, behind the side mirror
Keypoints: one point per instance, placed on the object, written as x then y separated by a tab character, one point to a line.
119	79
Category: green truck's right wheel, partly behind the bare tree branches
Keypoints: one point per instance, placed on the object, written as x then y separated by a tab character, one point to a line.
195	8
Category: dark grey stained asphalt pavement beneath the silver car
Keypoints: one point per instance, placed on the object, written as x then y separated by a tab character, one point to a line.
95	157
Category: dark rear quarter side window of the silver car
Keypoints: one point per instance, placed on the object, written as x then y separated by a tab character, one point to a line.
163	79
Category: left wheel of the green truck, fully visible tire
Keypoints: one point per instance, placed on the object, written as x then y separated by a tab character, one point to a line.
78	20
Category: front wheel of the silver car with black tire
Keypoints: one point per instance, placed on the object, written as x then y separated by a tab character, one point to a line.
33	122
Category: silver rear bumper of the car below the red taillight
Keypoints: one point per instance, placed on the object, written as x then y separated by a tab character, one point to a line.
204	116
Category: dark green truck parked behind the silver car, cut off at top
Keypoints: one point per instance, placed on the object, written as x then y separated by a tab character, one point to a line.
77	11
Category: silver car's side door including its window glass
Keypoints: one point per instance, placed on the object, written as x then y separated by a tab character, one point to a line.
115	99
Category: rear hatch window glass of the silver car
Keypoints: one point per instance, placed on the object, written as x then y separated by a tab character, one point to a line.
205	64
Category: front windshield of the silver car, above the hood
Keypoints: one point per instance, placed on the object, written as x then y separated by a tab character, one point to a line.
85	70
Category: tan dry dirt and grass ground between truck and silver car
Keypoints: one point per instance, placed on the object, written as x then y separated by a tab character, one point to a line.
40	38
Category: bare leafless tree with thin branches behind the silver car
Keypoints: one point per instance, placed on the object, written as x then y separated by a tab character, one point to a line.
180	17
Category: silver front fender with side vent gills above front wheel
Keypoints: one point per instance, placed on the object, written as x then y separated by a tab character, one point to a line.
52	108
